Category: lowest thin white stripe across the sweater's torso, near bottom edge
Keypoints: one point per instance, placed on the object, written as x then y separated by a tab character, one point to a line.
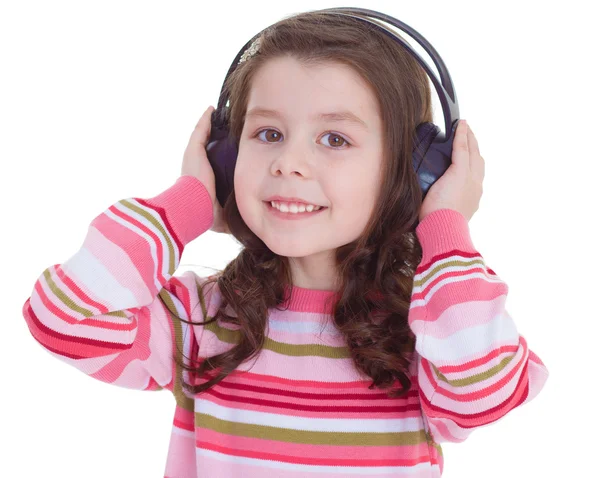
300	468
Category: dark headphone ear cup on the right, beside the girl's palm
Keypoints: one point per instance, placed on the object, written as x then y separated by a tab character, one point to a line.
432	155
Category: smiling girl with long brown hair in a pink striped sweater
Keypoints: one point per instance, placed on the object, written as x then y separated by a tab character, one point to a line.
342	340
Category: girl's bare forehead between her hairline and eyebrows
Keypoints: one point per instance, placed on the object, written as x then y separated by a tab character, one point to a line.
291	88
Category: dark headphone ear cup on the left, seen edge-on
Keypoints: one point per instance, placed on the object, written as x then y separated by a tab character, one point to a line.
222	152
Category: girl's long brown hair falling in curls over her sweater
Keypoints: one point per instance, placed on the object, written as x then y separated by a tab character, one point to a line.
376	271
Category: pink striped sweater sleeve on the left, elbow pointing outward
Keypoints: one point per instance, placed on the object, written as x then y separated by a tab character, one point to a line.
110	309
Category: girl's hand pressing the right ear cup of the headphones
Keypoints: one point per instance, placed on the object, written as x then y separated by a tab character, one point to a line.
461	186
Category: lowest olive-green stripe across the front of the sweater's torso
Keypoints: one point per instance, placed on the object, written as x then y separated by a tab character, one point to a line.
309	437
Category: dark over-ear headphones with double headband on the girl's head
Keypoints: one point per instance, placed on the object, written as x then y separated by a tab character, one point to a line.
432	149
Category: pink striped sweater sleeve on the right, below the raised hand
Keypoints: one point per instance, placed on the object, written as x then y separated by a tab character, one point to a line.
474	366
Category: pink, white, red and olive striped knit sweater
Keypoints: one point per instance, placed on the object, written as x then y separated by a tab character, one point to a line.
300	408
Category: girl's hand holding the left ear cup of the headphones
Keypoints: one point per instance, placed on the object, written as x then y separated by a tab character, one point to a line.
195	163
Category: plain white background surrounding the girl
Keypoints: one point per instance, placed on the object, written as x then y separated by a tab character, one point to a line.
98	100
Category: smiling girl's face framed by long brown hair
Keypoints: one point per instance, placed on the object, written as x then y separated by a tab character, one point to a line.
286	149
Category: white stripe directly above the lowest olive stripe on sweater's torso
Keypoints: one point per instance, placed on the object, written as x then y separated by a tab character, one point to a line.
277	420
